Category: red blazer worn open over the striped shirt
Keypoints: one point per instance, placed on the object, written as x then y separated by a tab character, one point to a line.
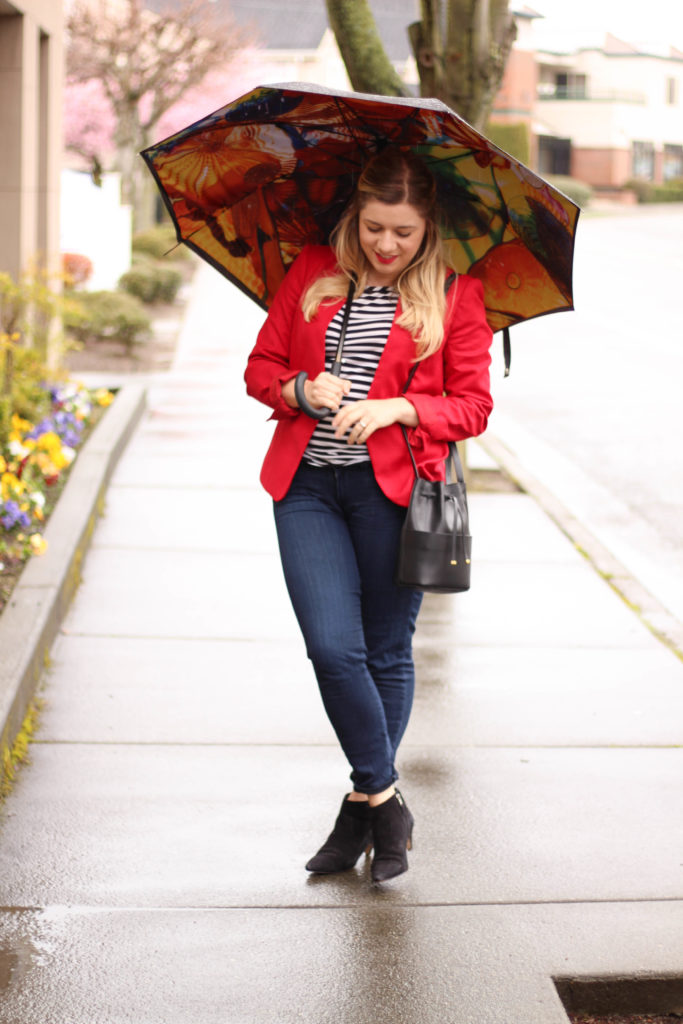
450	391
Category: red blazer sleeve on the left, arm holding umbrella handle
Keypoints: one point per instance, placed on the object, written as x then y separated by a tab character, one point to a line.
269	366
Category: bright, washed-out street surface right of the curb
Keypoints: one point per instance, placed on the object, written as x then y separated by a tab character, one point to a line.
593	404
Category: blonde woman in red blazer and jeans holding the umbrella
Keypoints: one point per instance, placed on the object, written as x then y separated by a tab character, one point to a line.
341	485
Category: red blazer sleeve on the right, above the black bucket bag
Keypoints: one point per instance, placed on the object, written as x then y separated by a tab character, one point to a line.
462	411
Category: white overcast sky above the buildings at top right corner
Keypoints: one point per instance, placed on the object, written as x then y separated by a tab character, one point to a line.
657	23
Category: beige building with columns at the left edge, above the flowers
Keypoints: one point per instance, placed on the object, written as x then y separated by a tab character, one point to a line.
31	84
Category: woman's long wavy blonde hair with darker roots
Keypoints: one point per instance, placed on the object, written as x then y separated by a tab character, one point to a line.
392	177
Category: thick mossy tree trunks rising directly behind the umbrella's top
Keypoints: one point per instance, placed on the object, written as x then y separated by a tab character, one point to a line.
461	49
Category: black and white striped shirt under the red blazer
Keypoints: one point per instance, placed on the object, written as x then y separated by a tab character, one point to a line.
369	325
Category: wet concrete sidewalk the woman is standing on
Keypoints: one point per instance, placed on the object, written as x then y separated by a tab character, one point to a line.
152	855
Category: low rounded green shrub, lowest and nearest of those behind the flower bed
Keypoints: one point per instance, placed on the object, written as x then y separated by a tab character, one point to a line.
113	316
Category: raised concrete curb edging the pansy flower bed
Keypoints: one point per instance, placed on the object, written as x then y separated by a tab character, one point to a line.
39	603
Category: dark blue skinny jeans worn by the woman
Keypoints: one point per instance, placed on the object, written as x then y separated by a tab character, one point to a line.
338	537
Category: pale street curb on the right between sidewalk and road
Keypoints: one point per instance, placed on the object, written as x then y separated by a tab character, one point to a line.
653	614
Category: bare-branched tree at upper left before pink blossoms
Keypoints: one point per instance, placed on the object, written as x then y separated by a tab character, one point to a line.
145	63
